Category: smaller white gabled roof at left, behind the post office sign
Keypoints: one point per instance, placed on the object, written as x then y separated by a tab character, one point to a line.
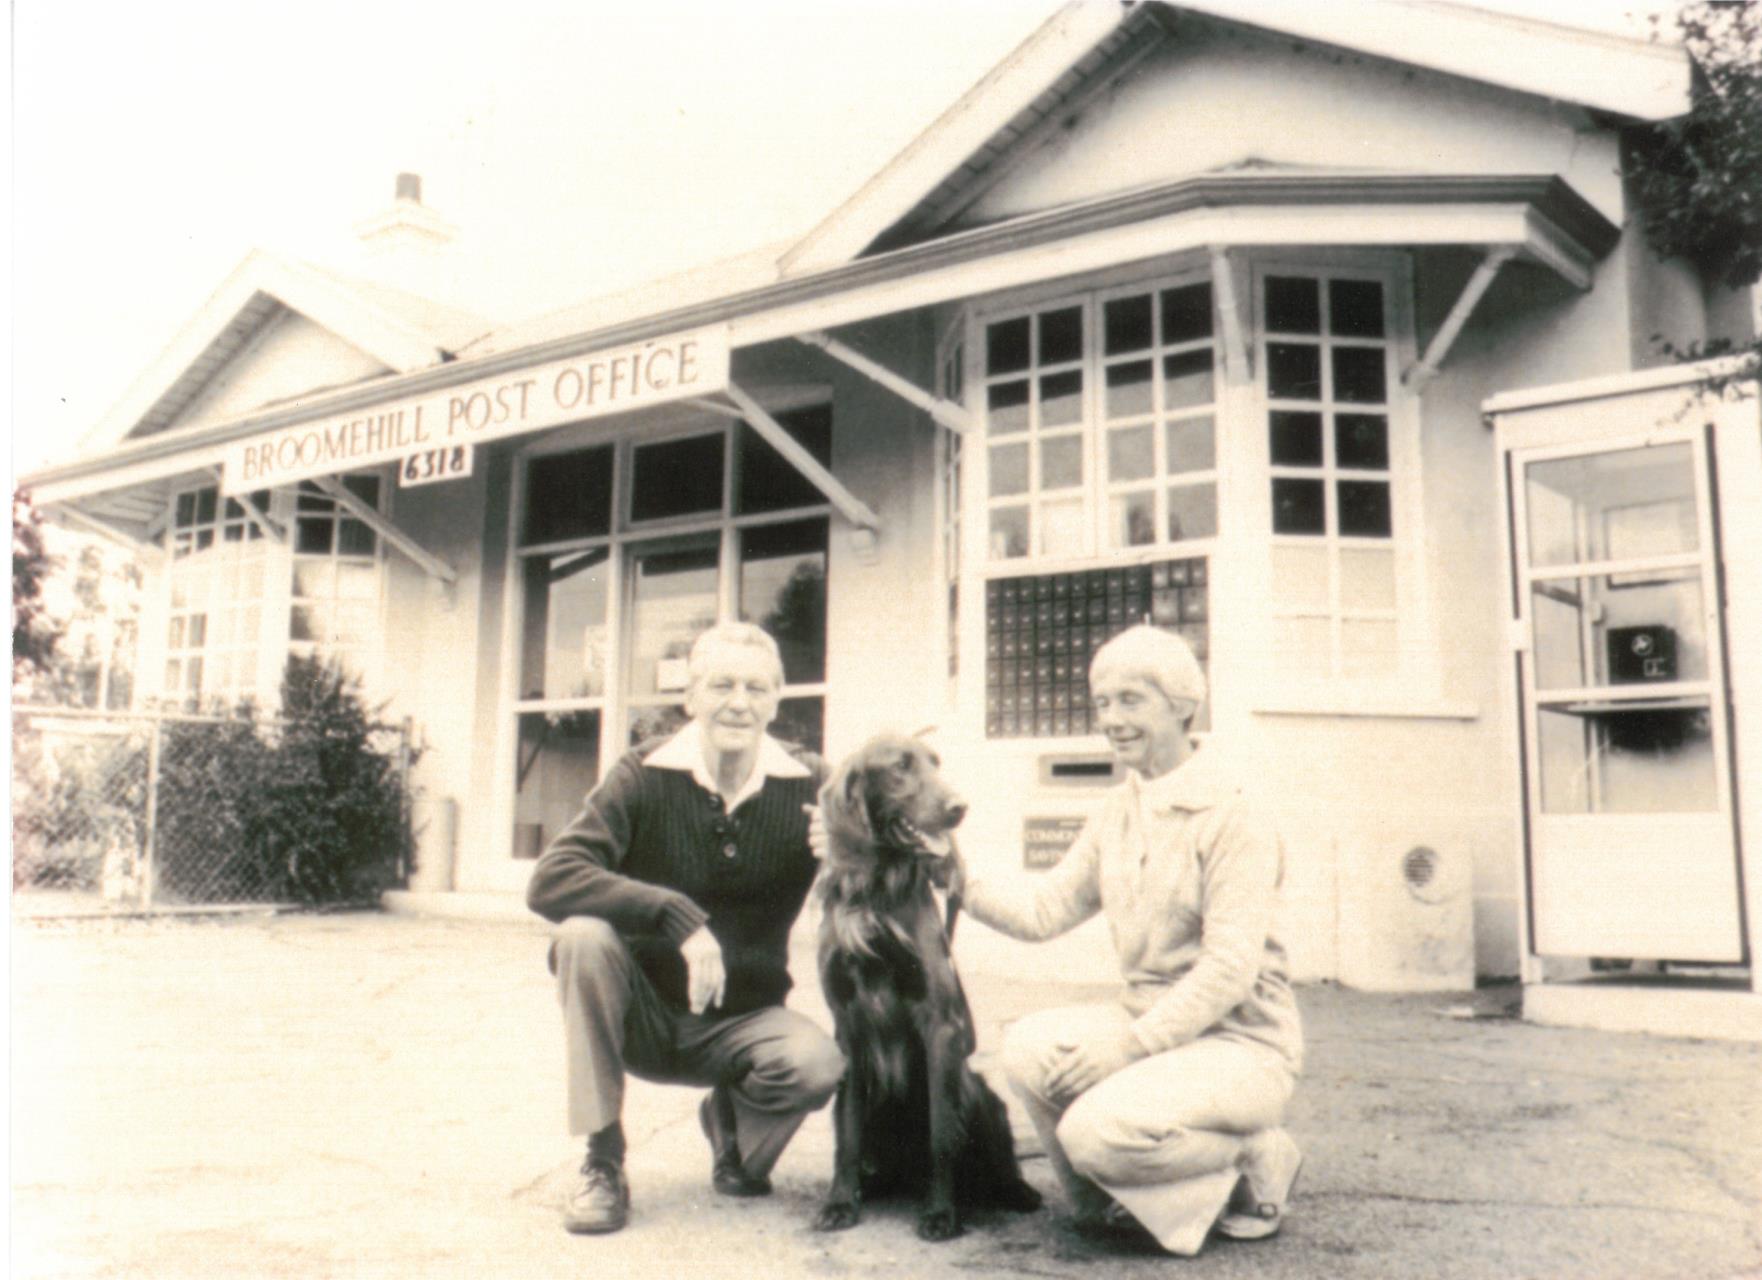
396	329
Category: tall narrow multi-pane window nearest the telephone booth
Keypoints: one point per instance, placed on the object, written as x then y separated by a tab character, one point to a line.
1326	359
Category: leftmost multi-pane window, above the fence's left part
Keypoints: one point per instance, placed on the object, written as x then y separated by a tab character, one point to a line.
216	599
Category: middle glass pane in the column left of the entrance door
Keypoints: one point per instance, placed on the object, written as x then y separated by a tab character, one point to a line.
565	636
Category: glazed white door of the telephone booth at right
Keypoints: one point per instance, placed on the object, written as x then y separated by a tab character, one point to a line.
1624	708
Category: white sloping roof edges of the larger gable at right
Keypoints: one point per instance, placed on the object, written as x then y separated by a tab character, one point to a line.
1088	45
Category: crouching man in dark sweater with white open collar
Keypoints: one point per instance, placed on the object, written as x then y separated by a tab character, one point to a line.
674	893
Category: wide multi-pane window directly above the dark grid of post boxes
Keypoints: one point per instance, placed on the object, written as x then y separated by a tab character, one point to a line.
1100	424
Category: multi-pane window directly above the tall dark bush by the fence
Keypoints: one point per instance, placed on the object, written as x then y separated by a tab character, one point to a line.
336	576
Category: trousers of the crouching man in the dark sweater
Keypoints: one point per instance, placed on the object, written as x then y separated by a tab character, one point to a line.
776	1064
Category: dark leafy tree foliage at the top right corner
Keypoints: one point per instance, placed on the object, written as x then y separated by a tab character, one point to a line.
1698	181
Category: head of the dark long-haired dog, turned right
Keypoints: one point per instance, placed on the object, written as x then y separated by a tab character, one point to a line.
891	796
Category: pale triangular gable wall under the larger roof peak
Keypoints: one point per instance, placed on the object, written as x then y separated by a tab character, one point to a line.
1225	96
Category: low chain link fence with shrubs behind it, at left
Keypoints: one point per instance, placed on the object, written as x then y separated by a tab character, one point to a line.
165	810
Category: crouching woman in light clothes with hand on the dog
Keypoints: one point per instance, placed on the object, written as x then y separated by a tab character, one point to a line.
1166	1105
